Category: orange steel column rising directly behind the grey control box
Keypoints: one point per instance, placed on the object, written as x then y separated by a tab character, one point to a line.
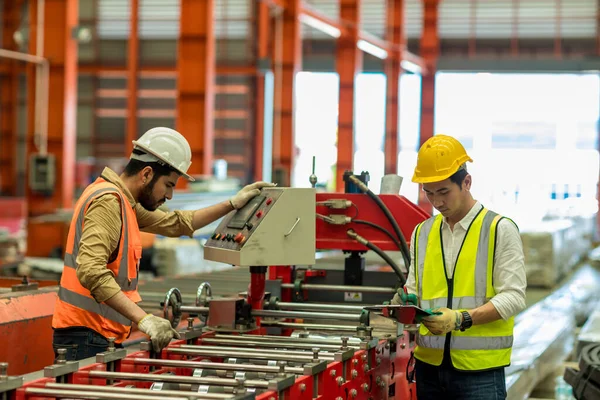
288	61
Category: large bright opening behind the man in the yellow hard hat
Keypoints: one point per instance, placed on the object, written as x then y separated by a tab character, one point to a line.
532	137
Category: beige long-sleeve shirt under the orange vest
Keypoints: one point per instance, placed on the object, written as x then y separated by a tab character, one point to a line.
102	232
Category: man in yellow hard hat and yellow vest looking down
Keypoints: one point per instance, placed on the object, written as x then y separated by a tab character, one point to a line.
467	264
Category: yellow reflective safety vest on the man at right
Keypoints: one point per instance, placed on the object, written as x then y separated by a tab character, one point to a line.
480	347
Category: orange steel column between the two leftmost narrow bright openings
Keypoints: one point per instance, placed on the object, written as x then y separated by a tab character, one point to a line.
348	65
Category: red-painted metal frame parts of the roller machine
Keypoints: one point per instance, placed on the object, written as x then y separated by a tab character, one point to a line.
370	373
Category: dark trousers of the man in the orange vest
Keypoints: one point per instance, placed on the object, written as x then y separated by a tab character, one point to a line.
79	342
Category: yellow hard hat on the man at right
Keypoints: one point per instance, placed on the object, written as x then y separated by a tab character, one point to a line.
439	158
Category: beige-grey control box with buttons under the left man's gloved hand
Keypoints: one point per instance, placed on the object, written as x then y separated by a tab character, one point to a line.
277	227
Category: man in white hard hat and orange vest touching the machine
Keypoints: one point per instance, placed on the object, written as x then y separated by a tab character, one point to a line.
98	293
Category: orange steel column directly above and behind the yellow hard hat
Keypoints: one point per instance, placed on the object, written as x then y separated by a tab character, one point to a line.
430	51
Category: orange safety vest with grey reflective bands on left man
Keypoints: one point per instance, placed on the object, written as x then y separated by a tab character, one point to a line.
75	306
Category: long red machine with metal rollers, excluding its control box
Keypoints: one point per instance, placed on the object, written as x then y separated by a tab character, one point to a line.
259	345
